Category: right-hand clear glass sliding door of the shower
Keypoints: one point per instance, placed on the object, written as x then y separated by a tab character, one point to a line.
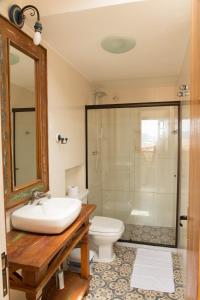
153	180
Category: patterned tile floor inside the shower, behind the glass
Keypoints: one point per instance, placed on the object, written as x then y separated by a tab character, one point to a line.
150	234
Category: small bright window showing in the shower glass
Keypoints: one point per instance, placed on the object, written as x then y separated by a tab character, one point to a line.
149	135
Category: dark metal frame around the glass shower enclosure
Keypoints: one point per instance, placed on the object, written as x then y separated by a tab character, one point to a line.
138	105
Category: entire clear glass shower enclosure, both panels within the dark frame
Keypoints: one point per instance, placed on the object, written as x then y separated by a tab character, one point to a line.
132	169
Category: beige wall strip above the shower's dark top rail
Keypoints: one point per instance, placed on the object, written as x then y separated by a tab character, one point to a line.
138	90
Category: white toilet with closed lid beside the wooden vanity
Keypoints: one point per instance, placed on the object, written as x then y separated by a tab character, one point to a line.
103	233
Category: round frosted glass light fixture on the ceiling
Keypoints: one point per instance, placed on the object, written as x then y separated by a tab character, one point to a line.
118	44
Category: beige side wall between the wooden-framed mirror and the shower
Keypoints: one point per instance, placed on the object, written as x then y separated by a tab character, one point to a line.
68	93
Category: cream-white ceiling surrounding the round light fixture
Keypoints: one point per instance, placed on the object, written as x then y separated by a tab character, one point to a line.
160	27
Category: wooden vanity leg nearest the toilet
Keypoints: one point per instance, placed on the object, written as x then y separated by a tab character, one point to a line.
85	257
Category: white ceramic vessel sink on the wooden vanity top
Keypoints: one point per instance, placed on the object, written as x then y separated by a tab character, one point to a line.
50	216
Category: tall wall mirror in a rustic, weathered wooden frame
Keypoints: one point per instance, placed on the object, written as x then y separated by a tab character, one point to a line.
23	96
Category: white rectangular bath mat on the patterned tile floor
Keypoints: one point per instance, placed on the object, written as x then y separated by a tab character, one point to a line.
153	270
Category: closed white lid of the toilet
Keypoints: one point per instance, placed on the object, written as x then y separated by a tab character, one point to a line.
106	225
